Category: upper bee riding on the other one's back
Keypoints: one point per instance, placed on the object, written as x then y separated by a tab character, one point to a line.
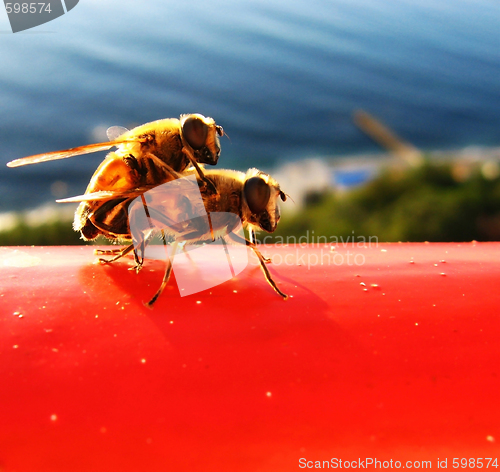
149	154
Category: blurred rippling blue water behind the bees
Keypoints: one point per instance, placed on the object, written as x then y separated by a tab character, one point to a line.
281	77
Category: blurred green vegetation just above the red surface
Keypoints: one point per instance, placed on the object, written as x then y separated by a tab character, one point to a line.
412	204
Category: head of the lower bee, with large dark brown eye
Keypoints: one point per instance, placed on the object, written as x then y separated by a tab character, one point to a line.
260	194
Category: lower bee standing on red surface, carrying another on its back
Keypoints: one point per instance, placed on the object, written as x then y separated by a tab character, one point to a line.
252	199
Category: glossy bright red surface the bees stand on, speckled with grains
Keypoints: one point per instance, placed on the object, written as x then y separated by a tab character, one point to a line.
91	380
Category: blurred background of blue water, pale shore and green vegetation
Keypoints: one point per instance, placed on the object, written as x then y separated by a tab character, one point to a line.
378	117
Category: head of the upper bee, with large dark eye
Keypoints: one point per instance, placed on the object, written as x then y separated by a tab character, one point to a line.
202	135
